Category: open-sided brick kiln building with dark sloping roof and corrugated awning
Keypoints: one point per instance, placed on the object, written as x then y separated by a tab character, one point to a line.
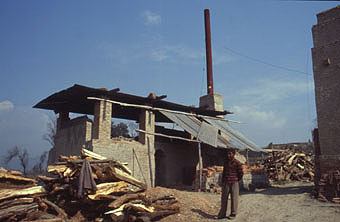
159	156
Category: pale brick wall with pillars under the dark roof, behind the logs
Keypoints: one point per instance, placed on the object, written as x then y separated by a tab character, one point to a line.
73	135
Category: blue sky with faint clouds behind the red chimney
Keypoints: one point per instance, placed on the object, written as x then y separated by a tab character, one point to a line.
158	46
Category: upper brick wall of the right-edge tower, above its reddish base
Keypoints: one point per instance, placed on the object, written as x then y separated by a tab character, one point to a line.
326	68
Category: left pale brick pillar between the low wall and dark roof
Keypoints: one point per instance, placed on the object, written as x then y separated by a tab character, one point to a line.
102	120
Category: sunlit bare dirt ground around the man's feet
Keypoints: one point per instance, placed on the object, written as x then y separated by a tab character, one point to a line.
289	202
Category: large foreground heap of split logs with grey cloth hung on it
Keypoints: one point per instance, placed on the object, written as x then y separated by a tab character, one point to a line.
113	195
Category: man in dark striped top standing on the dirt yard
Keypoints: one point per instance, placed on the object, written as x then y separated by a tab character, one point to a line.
232	173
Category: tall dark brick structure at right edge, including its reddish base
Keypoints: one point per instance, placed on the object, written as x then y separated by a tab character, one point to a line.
326	68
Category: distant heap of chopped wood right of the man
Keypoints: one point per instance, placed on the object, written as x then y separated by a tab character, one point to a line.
289	165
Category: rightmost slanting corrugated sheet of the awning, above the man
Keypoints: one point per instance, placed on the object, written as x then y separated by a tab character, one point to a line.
234	134
